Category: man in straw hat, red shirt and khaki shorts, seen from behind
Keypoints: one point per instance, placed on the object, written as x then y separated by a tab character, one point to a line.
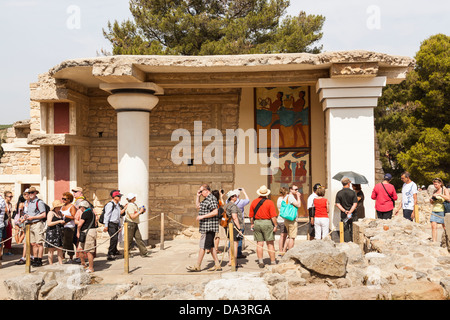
263	219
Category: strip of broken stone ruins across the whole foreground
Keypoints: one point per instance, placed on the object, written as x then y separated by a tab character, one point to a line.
390	260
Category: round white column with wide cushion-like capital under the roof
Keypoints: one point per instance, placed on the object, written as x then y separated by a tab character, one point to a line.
133	103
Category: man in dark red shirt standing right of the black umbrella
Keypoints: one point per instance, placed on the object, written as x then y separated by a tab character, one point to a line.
384	195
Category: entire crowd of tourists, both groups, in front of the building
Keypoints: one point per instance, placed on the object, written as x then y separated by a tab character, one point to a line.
69	227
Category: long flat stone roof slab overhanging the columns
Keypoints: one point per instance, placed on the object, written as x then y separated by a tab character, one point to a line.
257	70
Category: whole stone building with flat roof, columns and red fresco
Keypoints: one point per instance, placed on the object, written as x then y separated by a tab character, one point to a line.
153	125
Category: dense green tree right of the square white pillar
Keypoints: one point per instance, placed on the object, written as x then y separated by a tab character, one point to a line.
412	117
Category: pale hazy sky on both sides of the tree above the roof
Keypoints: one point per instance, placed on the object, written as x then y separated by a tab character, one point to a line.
37	35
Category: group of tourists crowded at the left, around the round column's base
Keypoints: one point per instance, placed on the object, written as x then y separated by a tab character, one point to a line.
67	228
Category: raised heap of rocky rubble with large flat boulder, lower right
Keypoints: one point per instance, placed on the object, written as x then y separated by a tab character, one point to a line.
397	261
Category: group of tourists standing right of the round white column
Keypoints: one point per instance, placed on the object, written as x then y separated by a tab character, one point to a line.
266	221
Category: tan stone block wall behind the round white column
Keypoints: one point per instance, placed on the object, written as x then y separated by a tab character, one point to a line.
172	187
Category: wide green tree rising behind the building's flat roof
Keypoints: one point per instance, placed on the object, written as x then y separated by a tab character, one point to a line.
213	27
